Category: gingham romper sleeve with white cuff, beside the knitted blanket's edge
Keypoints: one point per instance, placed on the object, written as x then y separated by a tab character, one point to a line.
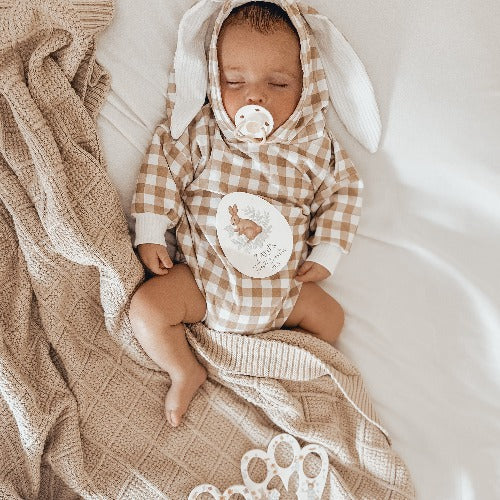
165	171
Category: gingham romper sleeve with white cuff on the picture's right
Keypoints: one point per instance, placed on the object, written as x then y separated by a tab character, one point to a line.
335	210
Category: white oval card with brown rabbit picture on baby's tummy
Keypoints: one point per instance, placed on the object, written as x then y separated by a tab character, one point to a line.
254	236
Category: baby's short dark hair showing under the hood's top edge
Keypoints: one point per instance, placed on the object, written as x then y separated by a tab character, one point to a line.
265	17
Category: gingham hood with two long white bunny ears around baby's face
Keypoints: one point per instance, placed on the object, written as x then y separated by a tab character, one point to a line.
326	57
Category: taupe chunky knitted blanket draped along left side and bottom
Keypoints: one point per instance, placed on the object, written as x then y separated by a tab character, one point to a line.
81	406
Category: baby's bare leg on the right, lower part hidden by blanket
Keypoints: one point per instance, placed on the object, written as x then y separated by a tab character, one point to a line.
317	312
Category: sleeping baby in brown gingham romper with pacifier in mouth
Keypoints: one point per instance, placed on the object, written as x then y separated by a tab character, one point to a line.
262	198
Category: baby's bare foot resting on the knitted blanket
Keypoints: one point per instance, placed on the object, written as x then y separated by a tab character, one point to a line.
181	393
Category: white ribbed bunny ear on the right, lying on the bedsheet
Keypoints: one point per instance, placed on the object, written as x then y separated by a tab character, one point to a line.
350	88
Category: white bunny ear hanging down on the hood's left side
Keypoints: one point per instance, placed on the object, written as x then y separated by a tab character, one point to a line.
190	64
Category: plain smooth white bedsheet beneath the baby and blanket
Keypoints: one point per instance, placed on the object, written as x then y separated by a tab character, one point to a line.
421	287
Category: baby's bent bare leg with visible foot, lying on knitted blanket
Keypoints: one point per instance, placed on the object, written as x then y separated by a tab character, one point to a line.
158	310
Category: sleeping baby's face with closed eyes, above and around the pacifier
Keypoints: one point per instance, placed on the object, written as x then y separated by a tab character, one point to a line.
258	68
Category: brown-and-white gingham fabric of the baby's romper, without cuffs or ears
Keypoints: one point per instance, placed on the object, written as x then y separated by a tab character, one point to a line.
301	170
